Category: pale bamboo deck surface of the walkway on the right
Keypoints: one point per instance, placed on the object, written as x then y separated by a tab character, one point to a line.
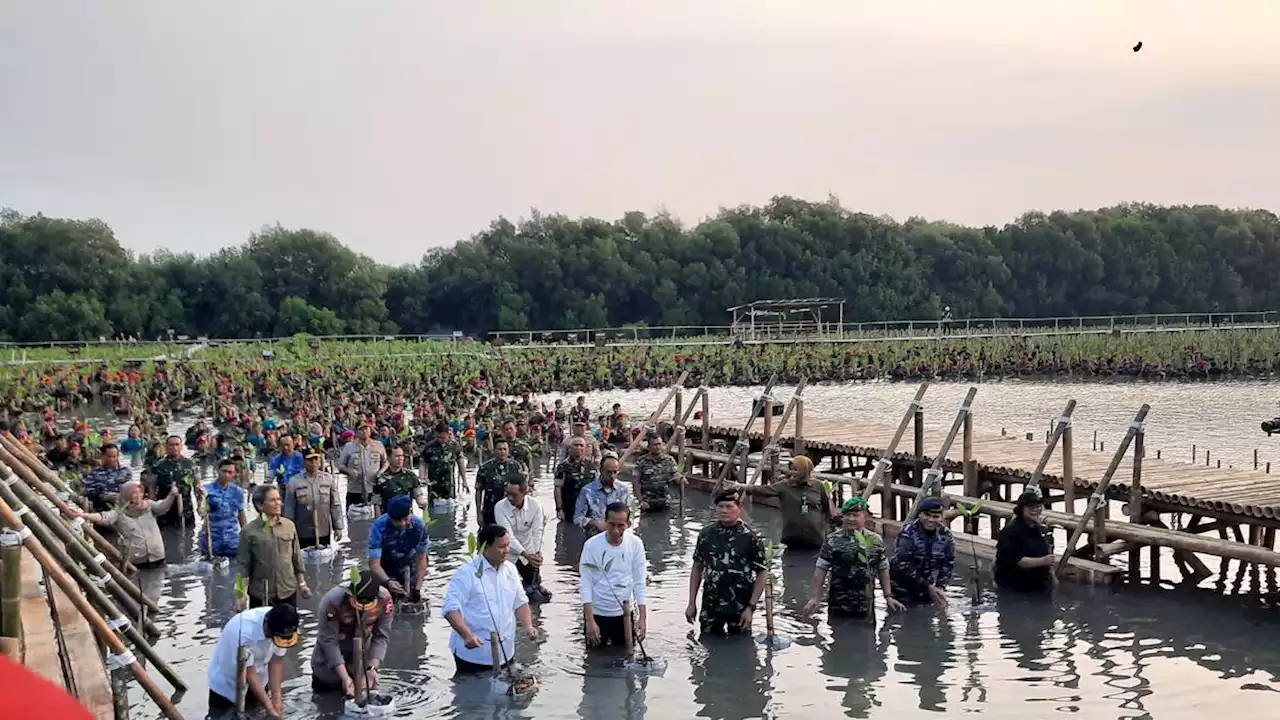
1247	494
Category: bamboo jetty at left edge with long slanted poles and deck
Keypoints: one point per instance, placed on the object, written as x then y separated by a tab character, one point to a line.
71	613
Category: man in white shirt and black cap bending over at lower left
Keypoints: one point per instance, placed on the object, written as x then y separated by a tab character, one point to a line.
268	634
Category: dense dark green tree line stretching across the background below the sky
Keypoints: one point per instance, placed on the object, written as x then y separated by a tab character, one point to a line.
72	280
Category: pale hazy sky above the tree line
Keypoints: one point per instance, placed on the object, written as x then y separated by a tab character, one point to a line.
400	126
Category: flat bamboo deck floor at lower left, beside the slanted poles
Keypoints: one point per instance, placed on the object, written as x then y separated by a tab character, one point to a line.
85	675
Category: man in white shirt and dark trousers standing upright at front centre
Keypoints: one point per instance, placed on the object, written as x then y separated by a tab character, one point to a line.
612	575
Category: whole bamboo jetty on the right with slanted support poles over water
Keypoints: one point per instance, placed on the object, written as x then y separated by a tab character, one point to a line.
1172	511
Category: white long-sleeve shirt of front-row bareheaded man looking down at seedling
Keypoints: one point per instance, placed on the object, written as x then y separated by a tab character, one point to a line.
488	604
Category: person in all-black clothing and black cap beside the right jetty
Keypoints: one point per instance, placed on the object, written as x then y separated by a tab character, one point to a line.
1025	553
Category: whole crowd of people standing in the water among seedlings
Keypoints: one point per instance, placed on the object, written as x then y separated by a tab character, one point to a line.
330	449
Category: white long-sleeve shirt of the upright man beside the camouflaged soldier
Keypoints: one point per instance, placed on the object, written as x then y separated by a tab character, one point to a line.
627	572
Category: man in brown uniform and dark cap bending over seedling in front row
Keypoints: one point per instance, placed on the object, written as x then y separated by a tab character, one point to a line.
342	612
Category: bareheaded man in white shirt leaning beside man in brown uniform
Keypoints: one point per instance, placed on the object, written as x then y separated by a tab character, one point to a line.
486	598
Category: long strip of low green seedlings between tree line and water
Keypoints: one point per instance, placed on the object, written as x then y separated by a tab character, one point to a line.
126	373
